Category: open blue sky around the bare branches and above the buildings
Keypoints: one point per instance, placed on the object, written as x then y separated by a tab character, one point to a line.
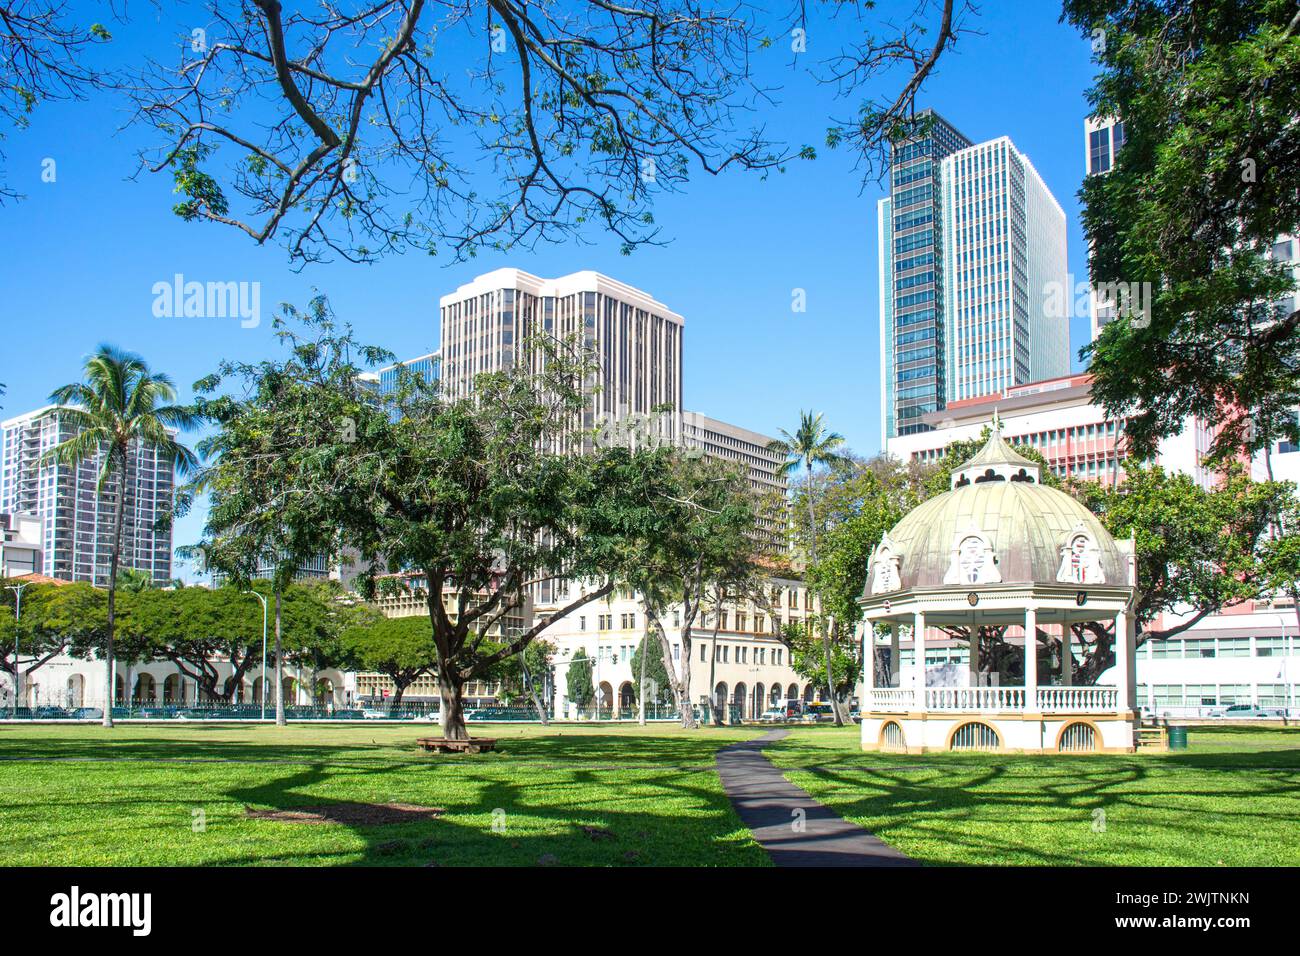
83	254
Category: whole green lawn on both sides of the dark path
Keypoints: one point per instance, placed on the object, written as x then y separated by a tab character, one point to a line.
81	795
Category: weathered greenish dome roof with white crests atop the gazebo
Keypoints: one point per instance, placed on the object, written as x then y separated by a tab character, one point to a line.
999	525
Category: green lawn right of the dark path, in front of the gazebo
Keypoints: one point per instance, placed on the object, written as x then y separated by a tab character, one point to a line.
1232	799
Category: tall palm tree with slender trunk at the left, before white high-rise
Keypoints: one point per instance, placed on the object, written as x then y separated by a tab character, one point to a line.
119	404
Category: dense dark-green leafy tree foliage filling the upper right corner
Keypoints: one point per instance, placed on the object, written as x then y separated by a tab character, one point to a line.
1203	188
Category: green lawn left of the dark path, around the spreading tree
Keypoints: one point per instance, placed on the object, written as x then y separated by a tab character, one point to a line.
73	795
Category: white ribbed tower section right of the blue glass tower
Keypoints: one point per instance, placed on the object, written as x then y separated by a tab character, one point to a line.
1004	256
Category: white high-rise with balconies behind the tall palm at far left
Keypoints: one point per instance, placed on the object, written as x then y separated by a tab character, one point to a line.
77	527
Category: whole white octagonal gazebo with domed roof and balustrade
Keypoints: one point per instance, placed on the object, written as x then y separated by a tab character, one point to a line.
1003	551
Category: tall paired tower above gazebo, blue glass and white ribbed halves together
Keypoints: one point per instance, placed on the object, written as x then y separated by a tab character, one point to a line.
970	243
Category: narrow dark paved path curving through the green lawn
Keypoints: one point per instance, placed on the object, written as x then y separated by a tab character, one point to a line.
768	803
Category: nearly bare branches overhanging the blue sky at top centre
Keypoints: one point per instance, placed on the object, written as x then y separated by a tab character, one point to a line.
465	127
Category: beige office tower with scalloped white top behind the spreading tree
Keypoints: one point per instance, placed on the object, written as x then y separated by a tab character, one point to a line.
638	340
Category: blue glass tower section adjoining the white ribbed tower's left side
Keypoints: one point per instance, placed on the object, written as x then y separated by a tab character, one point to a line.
912	332
